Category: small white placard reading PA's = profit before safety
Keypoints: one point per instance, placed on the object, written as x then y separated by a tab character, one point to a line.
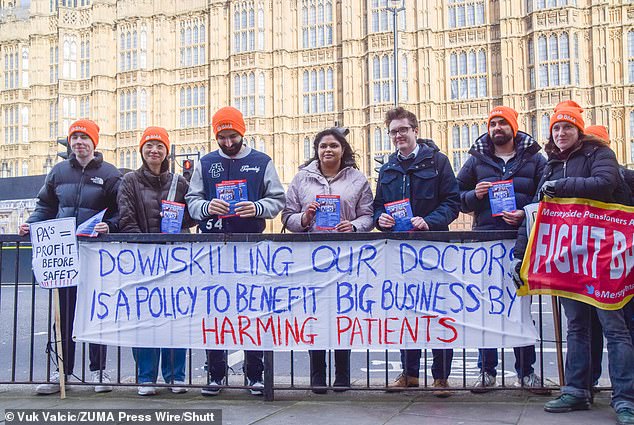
55	261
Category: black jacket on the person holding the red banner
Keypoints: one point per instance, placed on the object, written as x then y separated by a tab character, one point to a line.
591	171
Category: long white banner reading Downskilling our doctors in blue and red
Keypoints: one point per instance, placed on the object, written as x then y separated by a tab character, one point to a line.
301	295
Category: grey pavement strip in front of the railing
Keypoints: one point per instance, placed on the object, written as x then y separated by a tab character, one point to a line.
305	408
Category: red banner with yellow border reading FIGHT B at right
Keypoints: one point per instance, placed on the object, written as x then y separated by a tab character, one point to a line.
581	249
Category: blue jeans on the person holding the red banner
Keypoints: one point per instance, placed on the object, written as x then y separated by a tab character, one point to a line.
578	358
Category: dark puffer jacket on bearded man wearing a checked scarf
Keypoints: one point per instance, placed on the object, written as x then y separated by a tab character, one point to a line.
525	170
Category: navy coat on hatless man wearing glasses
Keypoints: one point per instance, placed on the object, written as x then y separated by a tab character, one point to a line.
429	183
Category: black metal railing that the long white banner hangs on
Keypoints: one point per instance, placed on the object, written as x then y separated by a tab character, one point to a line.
28	356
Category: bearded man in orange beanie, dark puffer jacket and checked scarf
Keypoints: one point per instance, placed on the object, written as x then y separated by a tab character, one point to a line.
502	154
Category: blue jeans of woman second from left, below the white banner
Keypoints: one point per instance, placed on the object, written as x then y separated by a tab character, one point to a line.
172	364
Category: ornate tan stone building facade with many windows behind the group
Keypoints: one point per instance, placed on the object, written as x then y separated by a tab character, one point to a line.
295	67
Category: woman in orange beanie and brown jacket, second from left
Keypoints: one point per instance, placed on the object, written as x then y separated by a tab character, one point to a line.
141	208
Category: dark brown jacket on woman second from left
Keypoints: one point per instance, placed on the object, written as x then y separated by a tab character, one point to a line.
140	199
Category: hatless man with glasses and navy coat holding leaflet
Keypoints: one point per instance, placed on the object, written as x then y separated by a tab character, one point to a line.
417	171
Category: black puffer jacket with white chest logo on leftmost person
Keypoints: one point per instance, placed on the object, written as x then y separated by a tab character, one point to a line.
72	191
